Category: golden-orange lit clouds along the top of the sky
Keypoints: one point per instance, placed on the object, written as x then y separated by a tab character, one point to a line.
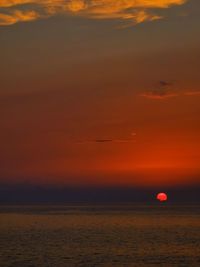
134	11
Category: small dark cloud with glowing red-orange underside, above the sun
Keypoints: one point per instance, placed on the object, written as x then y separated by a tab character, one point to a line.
163	90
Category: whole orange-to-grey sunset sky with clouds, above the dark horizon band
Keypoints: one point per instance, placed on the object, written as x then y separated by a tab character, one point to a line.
100	92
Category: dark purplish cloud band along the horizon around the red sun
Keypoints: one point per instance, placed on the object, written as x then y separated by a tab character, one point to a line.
32	194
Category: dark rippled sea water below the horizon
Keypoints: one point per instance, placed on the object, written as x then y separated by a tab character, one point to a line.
87	236
